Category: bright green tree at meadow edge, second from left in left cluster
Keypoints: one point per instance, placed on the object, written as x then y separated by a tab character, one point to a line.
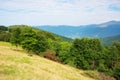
28	39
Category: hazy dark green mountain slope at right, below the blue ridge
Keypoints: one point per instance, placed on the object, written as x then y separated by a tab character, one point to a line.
107	41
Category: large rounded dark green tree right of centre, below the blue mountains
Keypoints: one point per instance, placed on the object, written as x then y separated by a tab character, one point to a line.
84	53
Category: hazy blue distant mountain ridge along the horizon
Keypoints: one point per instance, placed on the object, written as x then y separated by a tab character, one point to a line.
111	28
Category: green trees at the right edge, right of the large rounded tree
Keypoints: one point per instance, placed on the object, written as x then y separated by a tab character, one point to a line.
110	60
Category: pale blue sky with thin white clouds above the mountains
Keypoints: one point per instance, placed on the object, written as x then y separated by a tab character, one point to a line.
58	12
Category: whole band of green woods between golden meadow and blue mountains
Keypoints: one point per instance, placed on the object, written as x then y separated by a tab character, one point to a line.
82	53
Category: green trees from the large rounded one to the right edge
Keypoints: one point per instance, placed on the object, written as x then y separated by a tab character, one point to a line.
88	54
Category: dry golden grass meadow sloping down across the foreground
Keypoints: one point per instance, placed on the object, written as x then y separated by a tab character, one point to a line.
17	65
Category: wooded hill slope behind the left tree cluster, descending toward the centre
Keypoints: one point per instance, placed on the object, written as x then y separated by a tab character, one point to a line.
5	33
